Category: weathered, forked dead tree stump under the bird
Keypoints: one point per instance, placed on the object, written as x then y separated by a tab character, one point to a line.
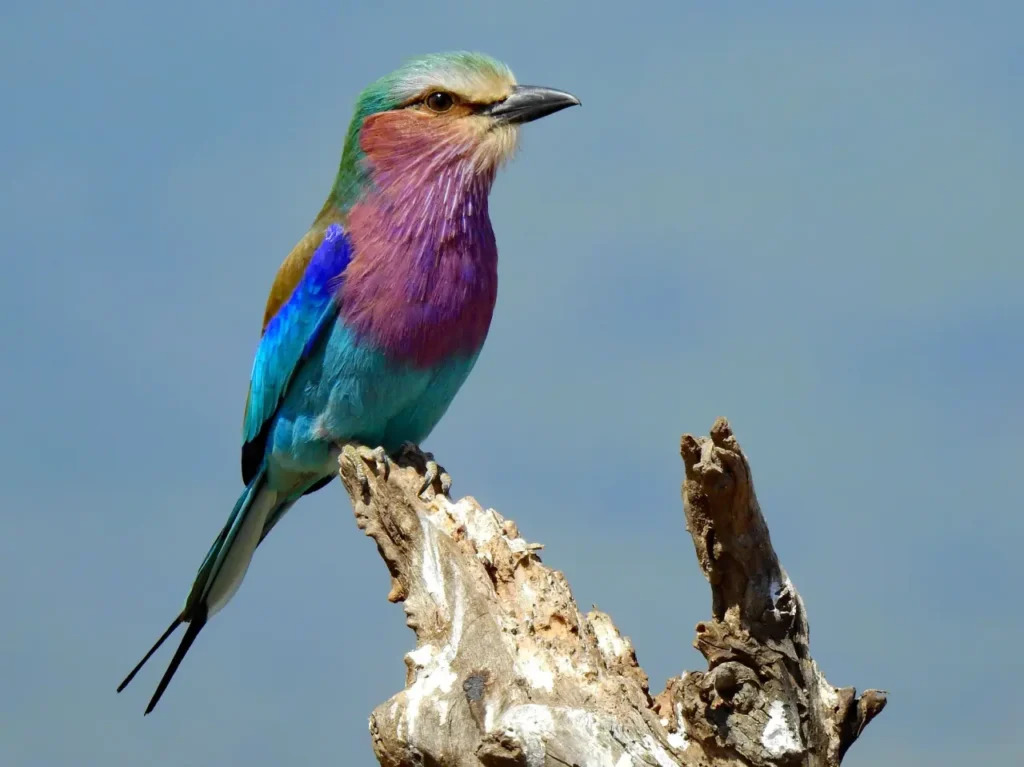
508	672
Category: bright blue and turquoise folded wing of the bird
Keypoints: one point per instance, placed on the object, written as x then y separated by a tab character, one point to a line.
288	339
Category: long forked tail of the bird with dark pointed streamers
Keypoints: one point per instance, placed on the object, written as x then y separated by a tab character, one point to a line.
220	577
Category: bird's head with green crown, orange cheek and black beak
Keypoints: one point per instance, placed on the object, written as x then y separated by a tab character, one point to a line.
437	113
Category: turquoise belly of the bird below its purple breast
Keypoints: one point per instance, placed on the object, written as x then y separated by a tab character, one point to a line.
349	392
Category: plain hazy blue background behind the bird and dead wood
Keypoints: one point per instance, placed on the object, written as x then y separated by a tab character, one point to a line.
808	219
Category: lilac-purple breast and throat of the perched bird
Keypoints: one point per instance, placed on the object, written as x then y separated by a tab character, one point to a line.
423	280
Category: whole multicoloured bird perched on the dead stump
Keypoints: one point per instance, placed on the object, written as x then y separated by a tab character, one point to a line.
379	313
